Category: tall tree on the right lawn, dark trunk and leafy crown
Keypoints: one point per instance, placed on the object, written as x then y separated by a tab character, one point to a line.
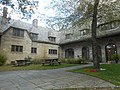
91	13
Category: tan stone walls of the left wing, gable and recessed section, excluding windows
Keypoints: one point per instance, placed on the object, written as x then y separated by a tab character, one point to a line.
42	48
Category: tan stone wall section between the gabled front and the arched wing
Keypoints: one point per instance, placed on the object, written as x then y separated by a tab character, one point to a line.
43	50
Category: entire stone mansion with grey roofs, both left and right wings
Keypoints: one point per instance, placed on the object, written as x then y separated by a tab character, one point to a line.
19	40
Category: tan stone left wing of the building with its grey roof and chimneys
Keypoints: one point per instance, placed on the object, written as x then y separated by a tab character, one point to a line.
19	40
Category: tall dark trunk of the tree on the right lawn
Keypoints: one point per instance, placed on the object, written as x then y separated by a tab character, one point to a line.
94	41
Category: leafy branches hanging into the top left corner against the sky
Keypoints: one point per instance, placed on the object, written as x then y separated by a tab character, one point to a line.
24	7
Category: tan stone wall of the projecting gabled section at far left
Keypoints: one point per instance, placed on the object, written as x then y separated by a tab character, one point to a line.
8	39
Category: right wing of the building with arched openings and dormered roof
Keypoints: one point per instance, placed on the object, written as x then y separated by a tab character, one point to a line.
76	42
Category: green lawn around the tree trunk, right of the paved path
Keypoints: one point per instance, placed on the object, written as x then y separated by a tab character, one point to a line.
111	74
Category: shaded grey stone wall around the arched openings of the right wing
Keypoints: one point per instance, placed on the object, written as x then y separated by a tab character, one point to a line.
102	42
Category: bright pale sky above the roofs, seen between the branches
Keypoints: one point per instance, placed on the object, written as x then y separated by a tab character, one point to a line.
41	13
